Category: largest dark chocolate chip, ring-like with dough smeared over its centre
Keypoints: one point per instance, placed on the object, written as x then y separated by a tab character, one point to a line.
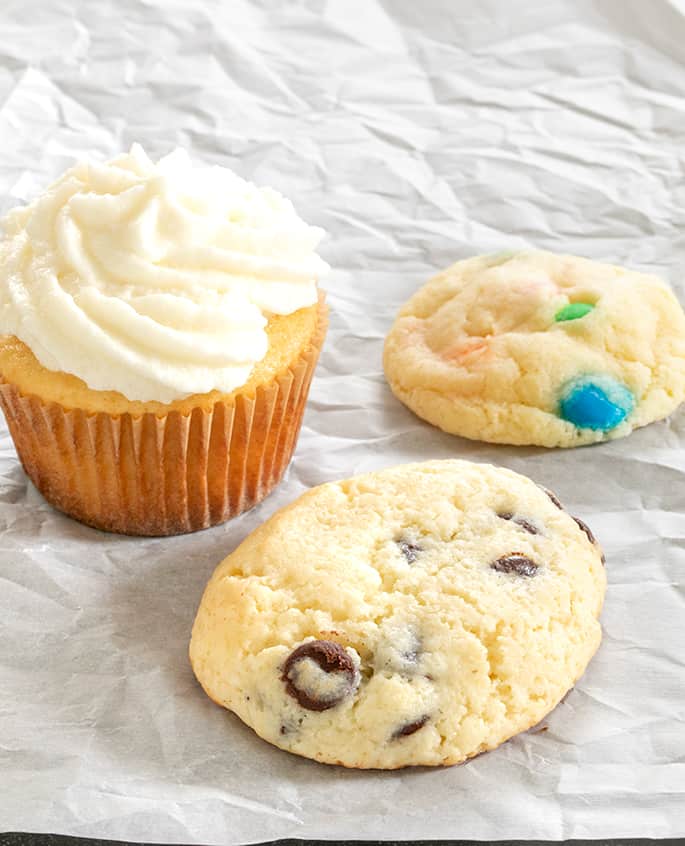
331	658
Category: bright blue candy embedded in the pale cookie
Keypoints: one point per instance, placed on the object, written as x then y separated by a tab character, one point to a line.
596	402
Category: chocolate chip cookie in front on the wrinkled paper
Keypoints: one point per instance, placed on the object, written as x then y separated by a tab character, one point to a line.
416	615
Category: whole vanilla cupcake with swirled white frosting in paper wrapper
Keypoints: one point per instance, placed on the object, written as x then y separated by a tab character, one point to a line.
160	327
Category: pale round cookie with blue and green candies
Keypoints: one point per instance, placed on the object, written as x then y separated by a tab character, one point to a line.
538	348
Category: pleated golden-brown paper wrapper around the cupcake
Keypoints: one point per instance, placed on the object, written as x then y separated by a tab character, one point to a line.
152	475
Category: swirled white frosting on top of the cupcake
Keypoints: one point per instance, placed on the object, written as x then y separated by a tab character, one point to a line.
154	280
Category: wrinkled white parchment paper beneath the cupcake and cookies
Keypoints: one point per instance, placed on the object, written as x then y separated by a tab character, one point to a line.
416	133
